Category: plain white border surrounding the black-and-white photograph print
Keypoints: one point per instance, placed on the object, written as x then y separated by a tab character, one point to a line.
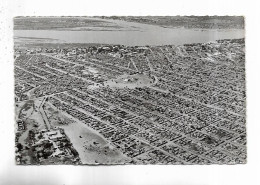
179	175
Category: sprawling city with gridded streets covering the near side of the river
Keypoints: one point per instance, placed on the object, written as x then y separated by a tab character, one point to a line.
116	104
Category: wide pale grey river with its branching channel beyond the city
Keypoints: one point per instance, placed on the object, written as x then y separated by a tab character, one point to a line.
134	34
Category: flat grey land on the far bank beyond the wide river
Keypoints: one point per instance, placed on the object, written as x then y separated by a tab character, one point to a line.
70	23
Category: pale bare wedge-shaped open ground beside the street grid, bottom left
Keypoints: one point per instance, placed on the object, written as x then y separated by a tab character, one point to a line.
92	147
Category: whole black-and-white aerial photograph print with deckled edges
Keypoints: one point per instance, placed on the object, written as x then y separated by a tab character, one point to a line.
130	90
